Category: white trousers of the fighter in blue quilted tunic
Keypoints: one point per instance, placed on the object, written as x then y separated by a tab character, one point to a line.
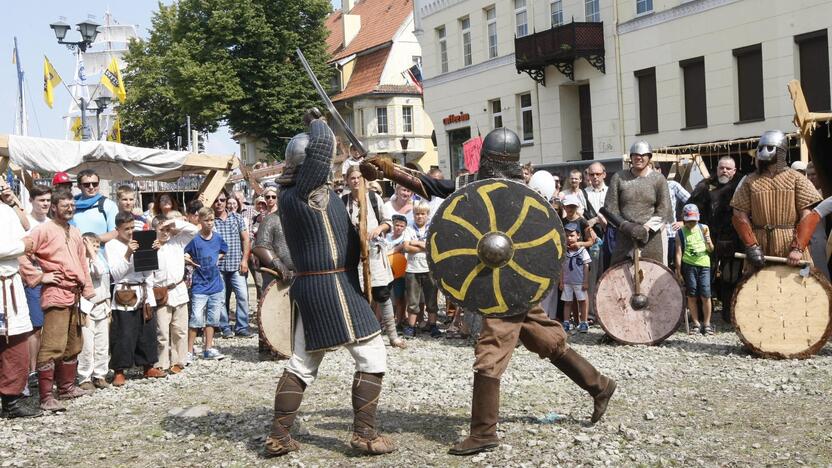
369	356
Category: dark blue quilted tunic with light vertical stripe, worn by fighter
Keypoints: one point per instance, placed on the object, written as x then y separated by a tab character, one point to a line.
321	238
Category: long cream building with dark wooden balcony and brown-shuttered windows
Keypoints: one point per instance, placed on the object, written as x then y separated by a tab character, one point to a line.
669	71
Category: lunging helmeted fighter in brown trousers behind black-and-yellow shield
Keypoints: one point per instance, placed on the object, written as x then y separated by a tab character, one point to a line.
499	158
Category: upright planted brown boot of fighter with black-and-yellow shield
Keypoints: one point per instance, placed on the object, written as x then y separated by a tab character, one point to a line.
485	405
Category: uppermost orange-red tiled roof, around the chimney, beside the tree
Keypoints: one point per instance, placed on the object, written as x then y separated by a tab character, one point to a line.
380	19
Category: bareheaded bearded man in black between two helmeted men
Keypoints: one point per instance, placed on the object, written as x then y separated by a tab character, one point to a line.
713	197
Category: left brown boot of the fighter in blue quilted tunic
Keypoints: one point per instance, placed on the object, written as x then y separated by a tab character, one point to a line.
287	399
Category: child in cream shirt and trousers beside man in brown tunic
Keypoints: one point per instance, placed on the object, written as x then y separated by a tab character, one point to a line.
93	362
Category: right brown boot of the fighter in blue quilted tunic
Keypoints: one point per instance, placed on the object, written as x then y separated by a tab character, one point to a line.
365	391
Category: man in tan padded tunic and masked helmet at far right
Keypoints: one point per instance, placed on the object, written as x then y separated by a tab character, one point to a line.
772	206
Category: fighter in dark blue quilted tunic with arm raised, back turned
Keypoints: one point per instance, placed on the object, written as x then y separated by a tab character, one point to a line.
332	310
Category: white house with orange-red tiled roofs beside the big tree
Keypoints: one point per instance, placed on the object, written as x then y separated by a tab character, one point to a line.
372	47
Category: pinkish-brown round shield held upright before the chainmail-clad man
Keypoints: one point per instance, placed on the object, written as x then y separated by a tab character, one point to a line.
651	325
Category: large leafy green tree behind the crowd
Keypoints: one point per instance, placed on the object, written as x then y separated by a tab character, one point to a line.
225	61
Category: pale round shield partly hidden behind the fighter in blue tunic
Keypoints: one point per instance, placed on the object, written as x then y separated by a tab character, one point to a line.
274	317
